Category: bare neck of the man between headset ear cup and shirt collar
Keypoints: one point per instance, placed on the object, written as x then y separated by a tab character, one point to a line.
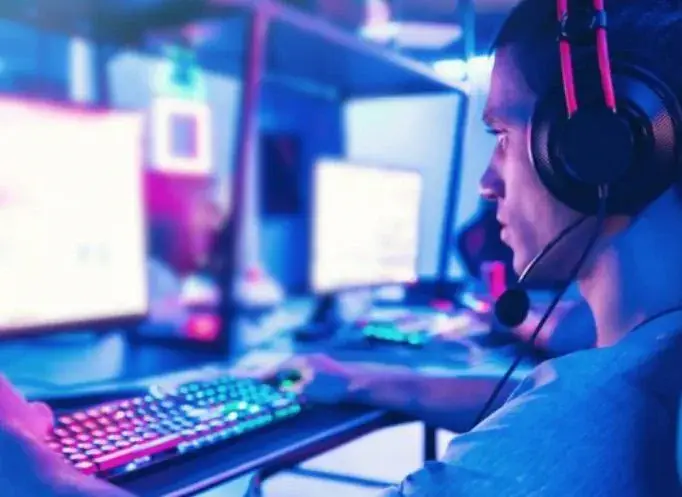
636	274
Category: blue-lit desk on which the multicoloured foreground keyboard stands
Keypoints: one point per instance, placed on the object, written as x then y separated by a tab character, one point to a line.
78	359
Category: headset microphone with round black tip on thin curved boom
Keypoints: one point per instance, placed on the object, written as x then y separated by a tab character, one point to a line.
513	306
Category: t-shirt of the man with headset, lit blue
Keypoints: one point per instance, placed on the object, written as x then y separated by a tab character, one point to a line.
598	423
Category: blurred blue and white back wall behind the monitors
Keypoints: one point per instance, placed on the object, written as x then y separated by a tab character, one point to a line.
414	132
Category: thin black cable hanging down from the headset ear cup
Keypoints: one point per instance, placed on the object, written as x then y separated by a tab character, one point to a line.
601	216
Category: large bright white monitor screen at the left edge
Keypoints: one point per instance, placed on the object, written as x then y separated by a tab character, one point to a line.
72	243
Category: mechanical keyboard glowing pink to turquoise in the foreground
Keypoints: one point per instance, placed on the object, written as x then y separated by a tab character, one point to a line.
123	436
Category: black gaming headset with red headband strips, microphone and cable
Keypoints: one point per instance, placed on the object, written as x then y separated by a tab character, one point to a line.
607	141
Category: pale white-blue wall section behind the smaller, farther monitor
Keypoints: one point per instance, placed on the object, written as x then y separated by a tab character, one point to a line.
414	132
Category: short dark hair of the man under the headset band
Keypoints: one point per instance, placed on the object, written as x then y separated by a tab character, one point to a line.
644	32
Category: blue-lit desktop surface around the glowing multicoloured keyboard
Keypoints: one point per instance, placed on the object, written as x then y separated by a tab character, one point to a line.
307	434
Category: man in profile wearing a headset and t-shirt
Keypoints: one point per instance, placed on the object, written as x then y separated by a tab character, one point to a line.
601	422
